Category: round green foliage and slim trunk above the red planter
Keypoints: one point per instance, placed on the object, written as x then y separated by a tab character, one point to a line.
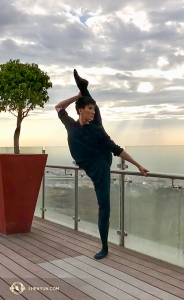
23	87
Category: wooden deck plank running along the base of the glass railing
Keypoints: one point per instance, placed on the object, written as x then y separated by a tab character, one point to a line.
127	256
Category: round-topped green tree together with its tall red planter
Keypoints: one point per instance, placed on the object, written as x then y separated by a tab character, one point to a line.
23	87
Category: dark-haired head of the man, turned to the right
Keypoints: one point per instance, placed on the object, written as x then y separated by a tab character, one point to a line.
85	107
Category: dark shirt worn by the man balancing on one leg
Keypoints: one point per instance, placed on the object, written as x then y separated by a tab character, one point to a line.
89	143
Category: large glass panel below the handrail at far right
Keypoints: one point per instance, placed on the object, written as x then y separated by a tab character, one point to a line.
154	218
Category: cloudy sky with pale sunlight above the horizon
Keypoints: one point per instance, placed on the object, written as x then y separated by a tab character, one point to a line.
131	52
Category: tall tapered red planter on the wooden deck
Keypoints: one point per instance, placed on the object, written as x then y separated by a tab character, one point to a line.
20	181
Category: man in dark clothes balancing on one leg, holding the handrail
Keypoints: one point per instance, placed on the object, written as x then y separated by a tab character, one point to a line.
91	148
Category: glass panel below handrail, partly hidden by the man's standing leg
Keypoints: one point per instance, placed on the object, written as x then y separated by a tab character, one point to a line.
88	208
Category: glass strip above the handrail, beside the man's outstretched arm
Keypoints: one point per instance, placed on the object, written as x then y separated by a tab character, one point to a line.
164	159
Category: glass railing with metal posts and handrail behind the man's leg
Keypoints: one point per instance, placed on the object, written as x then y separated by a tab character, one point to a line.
147	213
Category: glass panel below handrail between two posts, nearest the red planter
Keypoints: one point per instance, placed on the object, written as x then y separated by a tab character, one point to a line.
59	196
